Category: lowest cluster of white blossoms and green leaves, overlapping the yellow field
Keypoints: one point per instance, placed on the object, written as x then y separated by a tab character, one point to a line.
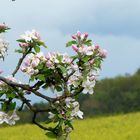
64	112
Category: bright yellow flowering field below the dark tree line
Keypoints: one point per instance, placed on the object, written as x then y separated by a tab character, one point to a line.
119	127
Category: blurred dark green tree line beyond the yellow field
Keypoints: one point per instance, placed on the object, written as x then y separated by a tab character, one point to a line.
112	95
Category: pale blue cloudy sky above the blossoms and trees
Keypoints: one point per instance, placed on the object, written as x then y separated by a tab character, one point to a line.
113	24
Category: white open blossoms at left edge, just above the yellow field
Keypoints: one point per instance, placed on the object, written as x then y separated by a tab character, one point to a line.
9	119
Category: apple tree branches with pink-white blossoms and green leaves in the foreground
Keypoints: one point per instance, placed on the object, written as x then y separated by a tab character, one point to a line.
69	76
